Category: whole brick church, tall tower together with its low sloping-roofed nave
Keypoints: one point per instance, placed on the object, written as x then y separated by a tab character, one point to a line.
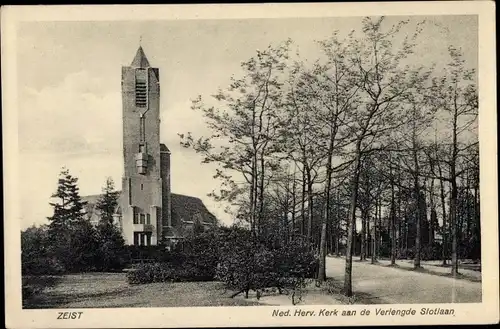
148	213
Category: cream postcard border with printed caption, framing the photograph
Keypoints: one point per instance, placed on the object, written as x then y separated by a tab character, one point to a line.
16	317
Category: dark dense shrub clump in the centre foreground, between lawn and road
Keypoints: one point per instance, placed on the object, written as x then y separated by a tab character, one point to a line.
233	256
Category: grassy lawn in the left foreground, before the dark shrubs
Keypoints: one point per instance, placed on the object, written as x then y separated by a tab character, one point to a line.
104	290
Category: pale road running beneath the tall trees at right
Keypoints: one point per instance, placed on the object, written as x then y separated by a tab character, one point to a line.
385	285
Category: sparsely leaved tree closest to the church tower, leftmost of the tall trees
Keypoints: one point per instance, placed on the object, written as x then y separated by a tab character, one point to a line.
244	124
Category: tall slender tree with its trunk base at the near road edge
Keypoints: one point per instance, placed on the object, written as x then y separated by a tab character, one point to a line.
378	71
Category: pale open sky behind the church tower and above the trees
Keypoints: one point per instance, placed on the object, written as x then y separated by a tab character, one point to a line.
69	90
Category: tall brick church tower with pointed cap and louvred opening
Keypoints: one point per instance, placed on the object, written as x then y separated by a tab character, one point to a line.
145	198
